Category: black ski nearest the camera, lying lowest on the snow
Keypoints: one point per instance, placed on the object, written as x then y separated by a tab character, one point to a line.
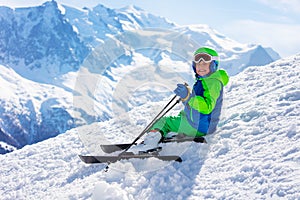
112	159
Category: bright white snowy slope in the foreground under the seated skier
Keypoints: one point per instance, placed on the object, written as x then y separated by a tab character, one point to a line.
254	155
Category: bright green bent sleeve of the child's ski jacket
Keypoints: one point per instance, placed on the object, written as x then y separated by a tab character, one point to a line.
207	103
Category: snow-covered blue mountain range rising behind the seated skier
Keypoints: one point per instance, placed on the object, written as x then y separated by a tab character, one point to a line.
47	52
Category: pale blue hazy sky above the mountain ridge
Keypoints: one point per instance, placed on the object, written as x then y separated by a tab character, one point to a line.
271	23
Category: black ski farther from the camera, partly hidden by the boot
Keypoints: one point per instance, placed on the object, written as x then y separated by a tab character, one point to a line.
110	148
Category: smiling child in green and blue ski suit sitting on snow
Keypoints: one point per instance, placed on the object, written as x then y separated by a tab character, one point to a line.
202	105
